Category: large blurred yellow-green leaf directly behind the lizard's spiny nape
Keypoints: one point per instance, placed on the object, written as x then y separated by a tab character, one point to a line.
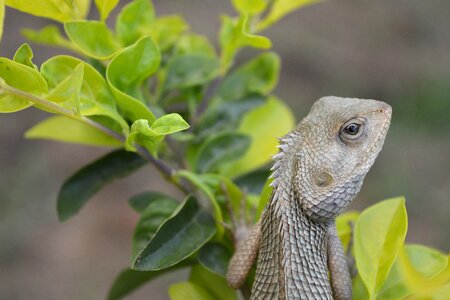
263	124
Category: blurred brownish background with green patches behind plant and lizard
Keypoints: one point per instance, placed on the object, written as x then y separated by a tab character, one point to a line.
396	51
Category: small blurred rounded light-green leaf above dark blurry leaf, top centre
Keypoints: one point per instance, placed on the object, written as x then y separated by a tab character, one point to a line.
194	43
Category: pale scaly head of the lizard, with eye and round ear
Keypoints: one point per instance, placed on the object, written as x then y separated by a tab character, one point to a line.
338	143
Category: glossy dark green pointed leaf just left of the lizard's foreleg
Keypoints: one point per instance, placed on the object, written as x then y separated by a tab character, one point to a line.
179	237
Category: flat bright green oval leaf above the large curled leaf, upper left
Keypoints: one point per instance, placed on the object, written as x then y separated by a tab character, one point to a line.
93	38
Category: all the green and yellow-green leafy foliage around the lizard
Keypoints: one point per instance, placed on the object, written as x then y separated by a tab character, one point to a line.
163	94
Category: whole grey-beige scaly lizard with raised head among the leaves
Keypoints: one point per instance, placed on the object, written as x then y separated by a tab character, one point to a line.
319	169
